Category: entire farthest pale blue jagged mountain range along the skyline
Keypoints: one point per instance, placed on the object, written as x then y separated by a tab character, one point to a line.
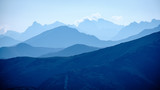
101	28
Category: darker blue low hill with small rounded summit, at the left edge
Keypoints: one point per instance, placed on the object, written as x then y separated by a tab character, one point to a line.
23	49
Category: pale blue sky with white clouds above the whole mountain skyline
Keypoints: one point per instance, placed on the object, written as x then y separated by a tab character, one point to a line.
19	14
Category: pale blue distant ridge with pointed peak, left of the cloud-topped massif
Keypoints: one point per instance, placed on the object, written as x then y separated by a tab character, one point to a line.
32	31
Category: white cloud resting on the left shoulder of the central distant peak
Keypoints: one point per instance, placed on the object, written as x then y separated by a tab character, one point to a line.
94	16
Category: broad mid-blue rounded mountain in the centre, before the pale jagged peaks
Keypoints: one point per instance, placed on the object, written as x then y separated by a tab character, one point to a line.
64	36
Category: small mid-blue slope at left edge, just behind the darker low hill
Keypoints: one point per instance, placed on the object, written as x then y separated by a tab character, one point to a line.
7	41
